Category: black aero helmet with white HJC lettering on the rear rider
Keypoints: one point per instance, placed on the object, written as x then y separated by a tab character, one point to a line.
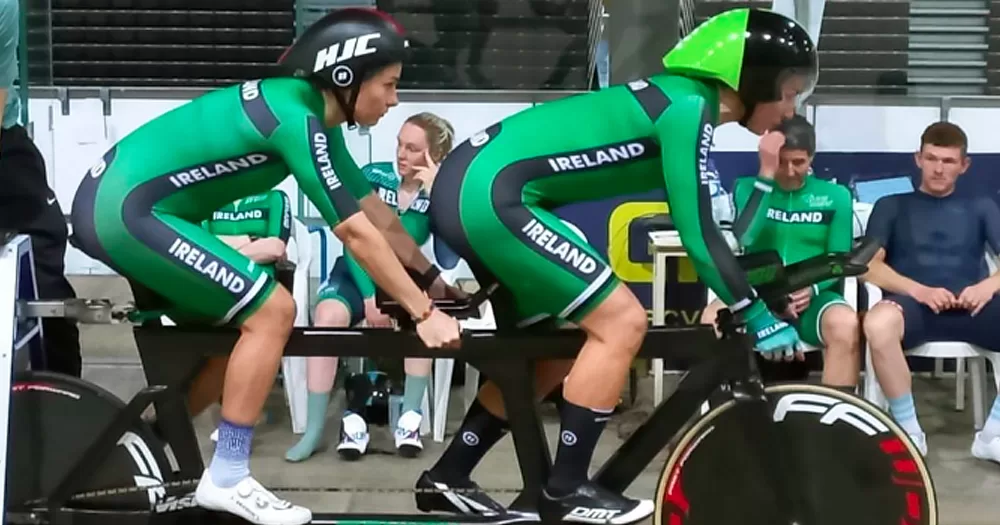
345	48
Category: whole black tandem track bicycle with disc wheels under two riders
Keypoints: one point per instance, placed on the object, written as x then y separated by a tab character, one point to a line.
762	455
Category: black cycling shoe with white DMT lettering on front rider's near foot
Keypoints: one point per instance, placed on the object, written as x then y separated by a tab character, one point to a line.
590	503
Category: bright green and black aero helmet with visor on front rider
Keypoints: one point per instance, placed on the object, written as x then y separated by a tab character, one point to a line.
752	51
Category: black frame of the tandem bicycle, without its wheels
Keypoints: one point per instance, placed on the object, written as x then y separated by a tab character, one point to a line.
172	356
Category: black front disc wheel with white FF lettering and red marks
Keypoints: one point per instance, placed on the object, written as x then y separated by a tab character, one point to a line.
843	461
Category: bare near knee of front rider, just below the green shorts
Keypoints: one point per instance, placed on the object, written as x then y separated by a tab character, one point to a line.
619	321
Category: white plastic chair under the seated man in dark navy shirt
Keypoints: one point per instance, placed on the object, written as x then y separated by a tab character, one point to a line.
965	355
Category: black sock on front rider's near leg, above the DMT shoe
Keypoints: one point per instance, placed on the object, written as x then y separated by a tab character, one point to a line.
580	430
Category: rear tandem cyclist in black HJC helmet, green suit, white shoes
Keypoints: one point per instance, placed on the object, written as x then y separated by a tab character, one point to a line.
139	209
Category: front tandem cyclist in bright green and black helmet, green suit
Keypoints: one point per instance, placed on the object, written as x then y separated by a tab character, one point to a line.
493	203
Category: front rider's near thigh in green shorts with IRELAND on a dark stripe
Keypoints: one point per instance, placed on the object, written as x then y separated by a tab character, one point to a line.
548	268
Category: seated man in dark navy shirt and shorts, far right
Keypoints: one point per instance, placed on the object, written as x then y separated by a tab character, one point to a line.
933	271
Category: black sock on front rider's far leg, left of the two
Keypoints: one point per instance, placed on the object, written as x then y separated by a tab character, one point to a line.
479	432
